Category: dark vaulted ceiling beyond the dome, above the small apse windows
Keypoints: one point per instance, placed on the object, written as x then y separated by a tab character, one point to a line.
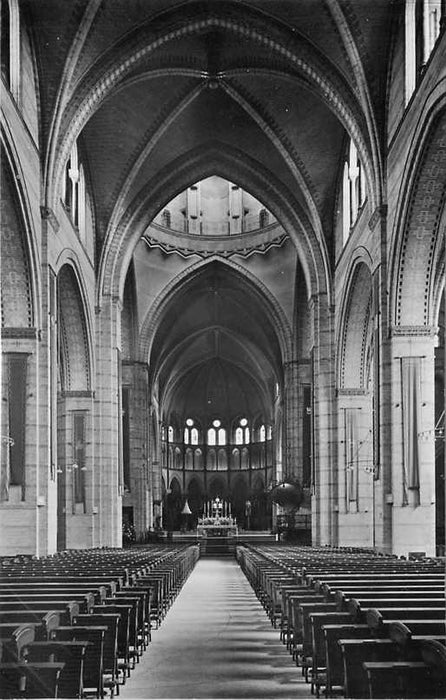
216	351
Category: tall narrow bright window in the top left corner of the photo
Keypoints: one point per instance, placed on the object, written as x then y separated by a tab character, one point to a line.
10	45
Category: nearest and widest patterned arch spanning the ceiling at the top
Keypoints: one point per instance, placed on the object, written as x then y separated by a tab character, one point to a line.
305	64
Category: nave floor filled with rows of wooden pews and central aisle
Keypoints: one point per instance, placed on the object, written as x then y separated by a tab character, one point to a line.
282	621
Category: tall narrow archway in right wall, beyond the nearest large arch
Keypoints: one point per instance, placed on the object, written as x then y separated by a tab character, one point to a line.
356	394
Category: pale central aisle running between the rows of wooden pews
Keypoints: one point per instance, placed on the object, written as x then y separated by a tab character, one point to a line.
216	642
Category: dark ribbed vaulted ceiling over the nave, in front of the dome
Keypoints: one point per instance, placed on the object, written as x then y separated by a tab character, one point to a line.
147	83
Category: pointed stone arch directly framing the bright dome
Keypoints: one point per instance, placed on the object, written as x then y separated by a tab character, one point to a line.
213	159
